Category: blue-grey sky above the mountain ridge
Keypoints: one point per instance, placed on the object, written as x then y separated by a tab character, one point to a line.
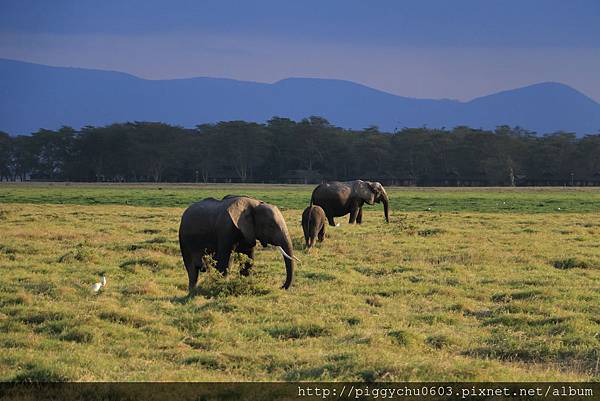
439	49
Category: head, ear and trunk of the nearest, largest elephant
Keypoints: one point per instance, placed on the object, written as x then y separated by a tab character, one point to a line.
263	222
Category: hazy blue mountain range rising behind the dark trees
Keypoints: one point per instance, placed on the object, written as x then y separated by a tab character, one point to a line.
34	96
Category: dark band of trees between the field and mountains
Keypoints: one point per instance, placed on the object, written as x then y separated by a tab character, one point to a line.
306	151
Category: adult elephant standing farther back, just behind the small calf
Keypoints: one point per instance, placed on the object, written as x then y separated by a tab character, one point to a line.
340	198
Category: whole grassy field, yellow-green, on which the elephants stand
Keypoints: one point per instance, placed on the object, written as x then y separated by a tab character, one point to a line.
490	284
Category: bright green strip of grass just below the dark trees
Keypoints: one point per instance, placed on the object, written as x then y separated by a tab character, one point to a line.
488	200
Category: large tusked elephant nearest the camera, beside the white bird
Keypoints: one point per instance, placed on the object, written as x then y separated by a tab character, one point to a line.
233	223
